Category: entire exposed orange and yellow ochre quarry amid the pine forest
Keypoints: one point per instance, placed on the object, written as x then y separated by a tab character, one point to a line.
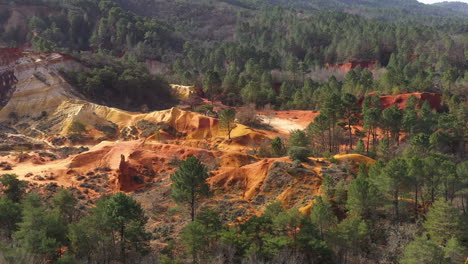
134	152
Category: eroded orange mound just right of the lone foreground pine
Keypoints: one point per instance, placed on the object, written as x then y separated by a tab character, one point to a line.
270	180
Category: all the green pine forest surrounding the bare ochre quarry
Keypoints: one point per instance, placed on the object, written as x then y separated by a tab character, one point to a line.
409	207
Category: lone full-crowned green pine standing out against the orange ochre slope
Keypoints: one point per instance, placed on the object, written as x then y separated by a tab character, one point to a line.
189	183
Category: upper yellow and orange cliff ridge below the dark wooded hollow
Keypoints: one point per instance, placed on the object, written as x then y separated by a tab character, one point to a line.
37	96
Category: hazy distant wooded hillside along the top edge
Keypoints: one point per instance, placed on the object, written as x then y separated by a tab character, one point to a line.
368	8
